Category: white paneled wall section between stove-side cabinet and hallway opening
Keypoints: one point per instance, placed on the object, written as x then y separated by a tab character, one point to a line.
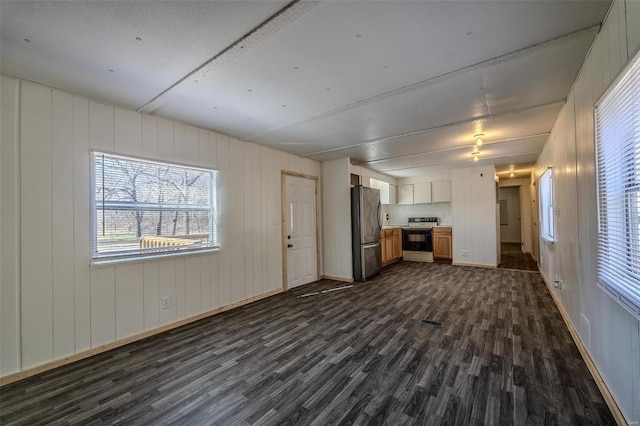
474	216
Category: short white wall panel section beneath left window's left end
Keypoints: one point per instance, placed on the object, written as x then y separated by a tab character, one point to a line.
103	306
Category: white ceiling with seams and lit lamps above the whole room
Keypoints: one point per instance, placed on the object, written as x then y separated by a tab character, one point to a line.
399	86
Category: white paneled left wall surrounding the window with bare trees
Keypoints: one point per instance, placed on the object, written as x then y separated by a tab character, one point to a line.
54	304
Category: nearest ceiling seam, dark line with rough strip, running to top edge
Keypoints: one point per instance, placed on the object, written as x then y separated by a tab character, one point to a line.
291	12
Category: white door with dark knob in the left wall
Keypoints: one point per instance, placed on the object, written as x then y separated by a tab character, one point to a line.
300	231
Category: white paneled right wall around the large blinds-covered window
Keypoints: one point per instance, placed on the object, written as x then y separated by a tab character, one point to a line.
610	334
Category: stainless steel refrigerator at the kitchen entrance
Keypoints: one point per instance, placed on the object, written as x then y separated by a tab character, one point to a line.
366	224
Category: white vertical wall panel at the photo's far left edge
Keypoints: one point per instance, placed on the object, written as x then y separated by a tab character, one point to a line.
9	226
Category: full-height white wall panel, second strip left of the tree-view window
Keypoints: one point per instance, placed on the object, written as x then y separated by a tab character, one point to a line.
62	224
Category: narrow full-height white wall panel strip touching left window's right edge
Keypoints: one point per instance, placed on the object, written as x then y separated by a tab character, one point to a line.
224	220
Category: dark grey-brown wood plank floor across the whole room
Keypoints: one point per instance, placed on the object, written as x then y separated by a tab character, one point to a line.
355	356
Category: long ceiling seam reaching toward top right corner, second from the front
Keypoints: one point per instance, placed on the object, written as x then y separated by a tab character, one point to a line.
432	80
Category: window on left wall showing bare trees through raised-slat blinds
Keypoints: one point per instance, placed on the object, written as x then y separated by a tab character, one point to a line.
145	207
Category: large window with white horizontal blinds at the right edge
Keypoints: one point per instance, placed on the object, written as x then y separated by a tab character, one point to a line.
617	134
